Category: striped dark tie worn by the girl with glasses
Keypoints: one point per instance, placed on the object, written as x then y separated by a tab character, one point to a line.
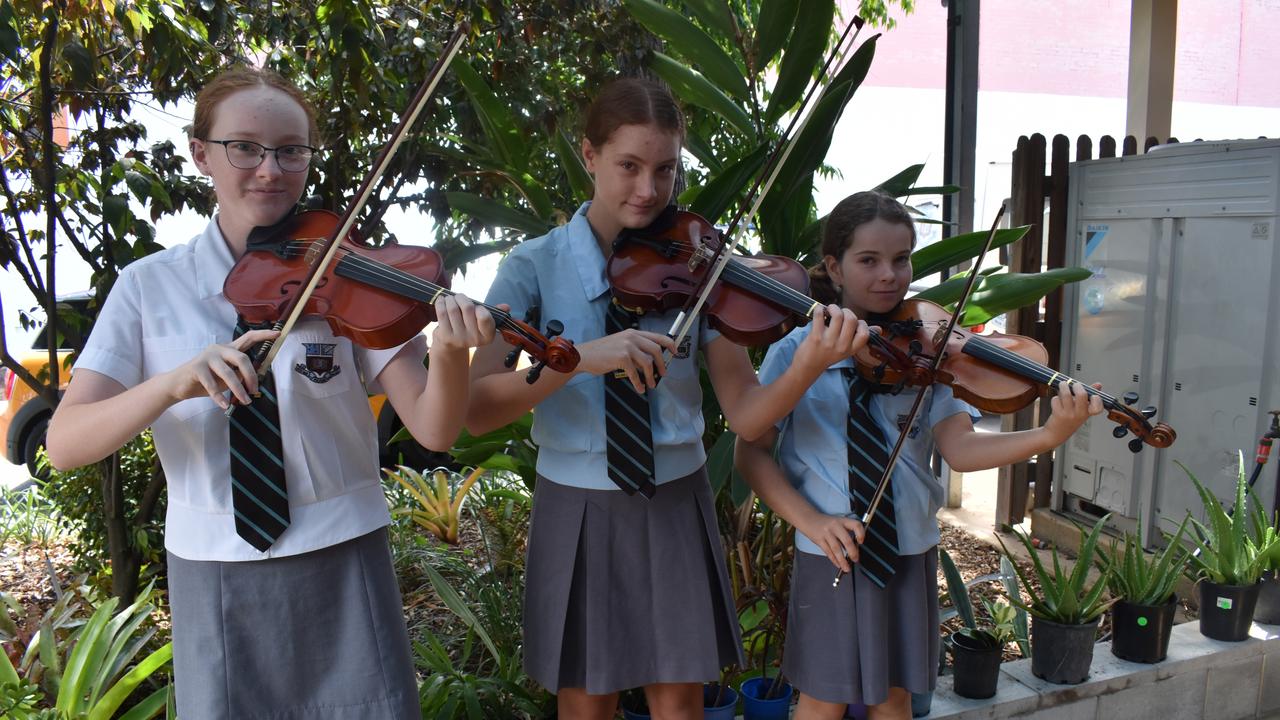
259	496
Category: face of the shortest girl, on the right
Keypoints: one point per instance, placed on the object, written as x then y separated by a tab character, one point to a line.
876	268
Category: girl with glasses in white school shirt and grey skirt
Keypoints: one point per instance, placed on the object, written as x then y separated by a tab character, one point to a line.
313	627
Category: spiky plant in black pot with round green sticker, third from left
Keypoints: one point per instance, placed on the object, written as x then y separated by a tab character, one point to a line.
1142	586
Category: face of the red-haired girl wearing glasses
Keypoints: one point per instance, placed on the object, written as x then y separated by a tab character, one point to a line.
263	195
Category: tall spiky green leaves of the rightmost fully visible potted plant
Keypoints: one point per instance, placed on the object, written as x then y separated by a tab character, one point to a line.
1235	548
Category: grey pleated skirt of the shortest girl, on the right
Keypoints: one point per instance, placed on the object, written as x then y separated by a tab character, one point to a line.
854	642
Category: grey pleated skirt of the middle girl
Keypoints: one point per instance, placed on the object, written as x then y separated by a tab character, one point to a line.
624	593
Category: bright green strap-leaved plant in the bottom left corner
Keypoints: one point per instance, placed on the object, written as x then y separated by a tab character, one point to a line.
90	673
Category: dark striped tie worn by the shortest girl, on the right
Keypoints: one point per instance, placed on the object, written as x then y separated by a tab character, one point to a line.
868	454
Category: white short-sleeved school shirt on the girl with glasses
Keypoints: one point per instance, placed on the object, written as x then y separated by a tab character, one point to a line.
163	312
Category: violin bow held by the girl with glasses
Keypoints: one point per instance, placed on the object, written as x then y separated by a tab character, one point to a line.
267	352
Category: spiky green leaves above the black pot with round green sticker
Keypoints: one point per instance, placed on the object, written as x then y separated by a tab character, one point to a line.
1144	578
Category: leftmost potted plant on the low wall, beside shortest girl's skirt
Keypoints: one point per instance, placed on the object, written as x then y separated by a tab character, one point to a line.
976	650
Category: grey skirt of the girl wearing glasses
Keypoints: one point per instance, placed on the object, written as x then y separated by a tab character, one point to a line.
318	636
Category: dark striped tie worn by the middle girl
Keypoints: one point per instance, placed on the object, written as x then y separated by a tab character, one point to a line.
628	429
